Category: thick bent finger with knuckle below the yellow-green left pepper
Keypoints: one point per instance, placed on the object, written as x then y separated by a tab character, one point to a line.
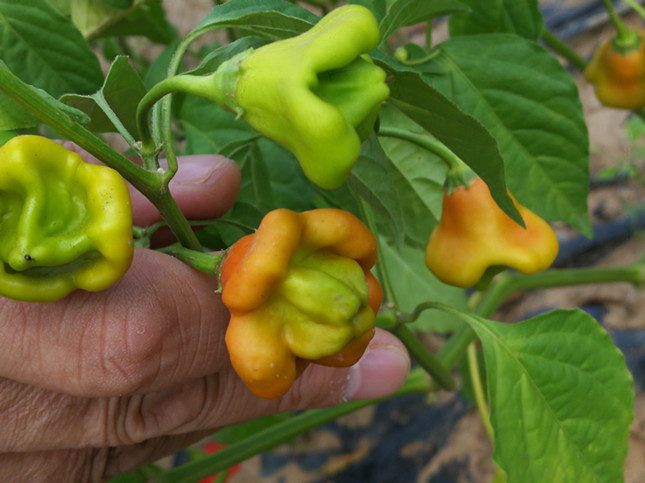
161	324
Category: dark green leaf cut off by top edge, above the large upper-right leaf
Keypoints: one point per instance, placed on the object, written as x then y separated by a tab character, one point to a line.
499	16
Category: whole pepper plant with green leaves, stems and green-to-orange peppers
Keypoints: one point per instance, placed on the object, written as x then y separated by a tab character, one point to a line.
363	157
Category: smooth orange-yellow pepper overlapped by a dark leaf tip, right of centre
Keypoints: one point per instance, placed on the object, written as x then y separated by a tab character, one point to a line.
475	235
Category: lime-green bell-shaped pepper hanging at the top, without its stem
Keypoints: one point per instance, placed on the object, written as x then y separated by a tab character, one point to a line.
316	94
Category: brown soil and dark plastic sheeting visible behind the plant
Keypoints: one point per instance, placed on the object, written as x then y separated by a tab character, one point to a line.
411	440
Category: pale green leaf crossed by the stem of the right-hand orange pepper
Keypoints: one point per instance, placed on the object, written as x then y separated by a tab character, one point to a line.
417	176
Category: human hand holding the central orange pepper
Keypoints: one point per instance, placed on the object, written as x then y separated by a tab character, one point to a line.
98	384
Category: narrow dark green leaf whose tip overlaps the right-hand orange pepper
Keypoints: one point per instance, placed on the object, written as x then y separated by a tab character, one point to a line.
464	135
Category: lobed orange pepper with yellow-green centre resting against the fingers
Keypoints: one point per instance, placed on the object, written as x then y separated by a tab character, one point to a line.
299	290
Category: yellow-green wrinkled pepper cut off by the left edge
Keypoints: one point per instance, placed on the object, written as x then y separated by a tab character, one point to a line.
64	223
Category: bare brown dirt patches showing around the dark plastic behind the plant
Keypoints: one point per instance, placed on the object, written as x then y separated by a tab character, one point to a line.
464	455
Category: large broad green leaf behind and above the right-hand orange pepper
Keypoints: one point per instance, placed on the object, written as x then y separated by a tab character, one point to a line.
530	104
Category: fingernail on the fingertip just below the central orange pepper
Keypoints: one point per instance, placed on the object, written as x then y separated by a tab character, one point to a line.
379	373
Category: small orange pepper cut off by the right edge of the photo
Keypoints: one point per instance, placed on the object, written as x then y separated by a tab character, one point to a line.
618	74
